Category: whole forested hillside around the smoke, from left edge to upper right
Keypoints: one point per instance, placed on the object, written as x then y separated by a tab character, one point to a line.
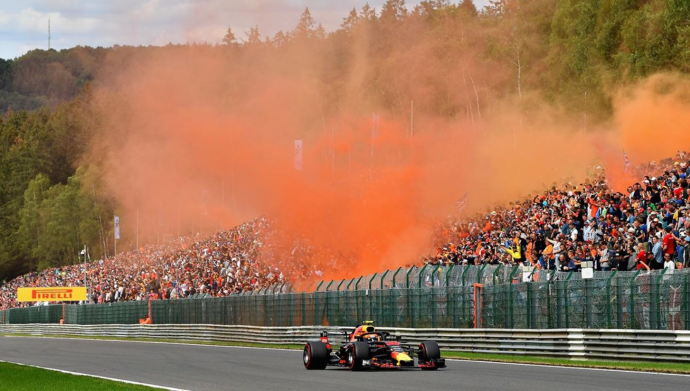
453	60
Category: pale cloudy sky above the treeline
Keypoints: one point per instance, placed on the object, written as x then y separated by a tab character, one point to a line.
24	23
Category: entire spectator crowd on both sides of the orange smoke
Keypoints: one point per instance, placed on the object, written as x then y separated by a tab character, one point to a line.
646	227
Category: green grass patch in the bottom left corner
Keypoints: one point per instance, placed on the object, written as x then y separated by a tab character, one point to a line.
24	378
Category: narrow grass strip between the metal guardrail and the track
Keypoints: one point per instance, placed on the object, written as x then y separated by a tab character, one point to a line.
640	366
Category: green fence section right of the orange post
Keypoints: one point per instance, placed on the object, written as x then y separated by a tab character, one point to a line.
625	300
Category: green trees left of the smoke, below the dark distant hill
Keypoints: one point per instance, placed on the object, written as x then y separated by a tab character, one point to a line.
45	215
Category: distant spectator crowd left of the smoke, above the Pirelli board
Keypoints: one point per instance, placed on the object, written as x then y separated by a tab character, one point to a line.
220	265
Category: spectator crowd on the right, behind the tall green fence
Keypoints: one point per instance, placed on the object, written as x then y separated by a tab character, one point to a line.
646	227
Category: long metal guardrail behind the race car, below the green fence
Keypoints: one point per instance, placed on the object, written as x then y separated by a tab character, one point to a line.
671	346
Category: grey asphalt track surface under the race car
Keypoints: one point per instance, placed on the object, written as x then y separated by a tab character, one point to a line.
197	367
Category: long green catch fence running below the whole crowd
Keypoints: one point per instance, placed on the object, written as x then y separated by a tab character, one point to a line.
461	297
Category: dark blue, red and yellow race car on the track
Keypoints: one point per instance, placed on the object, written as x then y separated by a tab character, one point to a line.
367	349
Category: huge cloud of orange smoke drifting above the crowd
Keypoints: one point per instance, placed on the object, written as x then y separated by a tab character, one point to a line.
199	139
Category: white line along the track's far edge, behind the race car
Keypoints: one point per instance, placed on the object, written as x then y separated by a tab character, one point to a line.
294	350
